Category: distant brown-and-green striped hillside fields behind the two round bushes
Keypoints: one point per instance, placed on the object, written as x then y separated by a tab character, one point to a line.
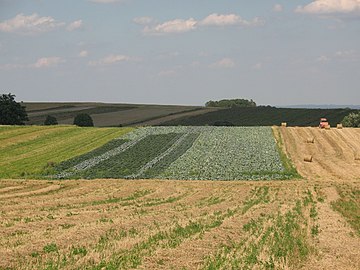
111	115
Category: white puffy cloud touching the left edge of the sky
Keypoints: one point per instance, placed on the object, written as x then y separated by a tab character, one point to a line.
31	24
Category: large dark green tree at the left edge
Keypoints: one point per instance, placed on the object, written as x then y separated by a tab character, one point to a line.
11	112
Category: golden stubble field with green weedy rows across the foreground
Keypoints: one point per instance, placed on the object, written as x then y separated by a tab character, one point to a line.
124	224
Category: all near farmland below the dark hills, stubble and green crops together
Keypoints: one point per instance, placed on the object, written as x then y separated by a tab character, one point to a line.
307	222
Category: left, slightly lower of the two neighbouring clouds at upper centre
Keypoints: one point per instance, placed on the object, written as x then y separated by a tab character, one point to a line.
174	26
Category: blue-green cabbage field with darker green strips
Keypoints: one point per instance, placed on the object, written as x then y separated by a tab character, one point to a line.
189	153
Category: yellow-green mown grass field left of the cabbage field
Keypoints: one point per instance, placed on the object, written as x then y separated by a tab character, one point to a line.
28	151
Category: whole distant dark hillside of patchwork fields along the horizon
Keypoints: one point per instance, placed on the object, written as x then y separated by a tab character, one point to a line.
107	115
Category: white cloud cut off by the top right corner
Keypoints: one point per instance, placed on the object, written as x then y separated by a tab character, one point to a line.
330	7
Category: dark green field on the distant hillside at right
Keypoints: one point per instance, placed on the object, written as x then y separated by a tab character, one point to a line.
264	116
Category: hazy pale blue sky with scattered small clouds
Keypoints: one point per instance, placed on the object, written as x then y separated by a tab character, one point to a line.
181	51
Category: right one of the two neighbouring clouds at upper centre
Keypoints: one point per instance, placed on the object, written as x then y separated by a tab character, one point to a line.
227	20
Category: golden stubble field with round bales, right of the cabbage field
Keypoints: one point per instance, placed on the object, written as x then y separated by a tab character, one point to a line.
333	152
